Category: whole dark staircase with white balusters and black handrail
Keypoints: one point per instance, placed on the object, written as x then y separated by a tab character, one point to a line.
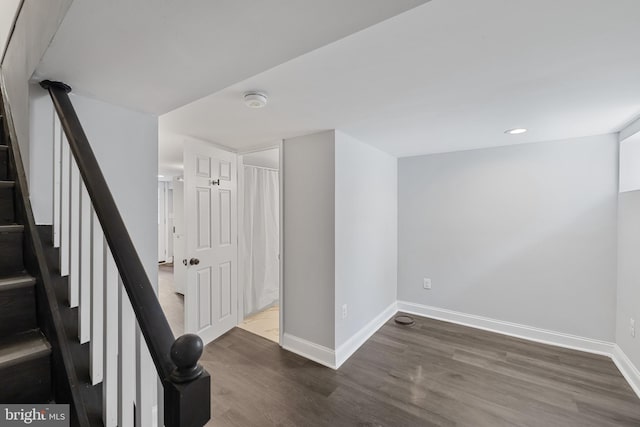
80	322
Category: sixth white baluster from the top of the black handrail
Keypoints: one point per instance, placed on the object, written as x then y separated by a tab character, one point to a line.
110	380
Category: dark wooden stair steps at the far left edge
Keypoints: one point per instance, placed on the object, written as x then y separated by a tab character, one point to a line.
25	353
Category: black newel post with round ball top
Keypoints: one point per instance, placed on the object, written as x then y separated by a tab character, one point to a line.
187	391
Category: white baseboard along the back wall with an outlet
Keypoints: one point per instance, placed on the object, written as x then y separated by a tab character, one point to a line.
530	333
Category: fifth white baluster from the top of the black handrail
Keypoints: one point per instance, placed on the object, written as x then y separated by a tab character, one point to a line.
97	300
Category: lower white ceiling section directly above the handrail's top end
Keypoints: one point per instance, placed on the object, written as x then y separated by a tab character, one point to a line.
156	55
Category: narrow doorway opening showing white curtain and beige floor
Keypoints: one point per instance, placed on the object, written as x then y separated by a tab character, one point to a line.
259	296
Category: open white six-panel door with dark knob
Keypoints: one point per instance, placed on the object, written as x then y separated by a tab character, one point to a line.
211	229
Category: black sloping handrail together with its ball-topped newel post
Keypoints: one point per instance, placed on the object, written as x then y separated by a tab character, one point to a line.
186	383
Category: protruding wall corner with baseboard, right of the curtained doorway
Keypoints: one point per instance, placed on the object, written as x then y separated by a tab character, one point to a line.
340	243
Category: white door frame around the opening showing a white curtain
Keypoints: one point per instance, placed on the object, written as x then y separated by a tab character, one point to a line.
241	188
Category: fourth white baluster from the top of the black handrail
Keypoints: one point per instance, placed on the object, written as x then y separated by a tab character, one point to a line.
84	313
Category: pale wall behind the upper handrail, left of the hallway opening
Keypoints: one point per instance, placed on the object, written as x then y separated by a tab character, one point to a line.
125	143
